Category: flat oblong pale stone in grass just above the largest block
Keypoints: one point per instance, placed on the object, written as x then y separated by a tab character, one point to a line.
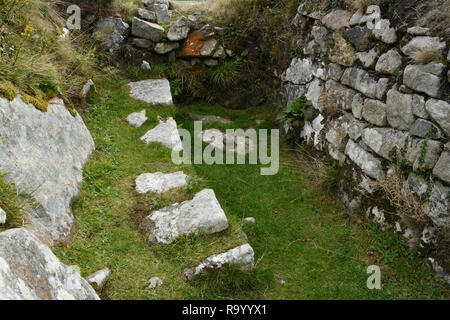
159	182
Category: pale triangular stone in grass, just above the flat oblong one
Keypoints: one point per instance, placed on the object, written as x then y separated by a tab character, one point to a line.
166	132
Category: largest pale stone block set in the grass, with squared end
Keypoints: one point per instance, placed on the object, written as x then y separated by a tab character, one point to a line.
201	214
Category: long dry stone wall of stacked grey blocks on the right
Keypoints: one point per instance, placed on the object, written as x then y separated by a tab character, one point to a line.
374	100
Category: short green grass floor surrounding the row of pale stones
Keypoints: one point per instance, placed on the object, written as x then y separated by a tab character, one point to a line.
300	236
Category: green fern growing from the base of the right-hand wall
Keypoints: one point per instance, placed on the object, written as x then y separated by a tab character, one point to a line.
296	114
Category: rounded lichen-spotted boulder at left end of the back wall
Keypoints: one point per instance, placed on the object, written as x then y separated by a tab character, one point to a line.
112	31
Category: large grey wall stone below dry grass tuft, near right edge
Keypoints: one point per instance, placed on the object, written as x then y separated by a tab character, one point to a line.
419	79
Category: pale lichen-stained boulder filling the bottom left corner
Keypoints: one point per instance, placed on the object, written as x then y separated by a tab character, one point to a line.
30	271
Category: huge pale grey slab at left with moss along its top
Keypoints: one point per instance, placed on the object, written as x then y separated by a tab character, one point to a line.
43	153
